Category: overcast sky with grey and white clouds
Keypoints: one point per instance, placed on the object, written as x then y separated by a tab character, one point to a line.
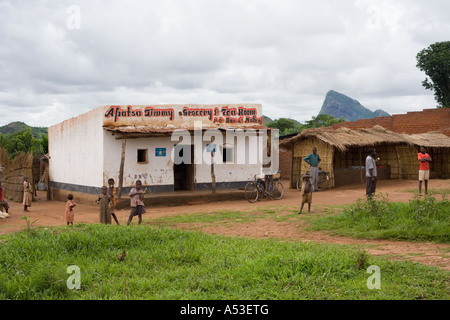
59	59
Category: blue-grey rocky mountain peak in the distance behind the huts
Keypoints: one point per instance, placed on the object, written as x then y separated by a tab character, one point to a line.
339	105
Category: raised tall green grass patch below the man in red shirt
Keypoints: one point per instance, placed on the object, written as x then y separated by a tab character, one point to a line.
424	218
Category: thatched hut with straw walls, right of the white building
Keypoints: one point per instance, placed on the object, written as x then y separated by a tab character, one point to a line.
343	152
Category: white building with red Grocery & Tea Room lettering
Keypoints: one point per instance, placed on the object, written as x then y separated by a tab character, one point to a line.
167	147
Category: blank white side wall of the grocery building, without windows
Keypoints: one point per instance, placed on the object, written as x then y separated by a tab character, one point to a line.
76	153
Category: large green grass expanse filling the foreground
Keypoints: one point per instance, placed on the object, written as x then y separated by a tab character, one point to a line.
164	263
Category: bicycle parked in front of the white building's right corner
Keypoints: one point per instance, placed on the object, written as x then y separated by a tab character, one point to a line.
258	189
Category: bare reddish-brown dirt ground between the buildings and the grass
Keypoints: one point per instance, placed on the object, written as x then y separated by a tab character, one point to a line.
50	213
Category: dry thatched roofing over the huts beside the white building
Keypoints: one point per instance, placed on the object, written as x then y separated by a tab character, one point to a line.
343	138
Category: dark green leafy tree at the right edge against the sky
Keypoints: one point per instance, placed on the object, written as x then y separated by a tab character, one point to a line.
435	62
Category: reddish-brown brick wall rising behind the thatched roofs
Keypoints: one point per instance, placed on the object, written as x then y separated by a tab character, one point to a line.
410	123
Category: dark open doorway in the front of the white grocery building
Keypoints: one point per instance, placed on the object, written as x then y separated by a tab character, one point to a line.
183	172
